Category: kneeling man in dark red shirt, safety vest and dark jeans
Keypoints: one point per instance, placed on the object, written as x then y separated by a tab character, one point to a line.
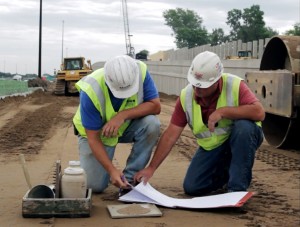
225	117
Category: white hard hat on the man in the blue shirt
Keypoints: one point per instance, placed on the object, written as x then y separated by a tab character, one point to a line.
122	76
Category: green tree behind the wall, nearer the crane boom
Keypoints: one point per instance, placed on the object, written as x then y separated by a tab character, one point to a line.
187	27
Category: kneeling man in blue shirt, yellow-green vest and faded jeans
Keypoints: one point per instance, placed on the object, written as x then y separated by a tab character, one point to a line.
118	104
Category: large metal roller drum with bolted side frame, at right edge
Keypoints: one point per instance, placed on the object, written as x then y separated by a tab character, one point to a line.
277	85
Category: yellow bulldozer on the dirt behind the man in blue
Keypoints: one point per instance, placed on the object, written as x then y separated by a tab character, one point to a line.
71	70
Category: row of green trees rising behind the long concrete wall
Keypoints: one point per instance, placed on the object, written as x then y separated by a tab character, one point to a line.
246	25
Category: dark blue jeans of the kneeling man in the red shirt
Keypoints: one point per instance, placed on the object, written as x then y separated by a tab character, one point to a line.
231	163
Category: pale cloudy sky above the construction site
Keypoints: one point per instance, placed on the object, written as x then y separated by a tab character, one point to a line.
95	30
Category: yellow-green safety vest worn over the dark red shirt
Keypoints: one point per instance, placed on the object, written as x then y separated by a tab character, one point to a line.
228	97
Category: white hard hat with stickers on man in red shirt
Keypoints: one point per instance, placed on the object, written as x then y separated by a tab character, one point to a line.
205	70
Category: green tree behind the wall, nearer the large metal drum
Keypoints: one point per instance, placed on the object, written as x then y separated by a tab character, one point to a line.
248	25
